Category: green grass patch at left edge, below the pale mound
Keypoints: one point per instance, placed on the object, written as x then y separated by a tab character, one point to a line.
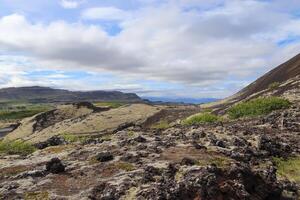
16	148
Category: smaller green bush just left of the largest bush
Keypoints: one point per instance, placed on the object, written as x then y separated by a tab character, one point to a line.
200	118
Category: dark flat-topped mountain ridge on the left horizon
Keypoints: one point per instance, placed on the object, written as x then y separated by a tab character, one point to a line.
38	94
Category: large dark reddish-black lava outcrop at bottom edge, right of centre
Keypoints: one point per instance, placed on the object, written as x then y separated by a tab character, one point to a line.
211	183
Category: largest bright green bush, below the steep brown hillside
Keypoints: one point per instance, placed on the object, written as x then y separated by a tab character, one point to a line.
257	107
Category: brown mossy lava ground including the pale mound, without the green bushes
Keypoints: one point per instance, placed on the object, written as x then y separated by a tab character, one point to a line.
143	152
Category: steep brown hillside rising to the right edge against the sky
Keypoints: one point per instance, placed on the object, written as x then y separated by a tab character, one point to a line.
282	81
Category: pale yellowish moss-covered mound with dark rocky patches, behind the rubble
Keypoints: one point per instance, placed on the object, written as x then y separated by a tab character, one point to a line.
80	119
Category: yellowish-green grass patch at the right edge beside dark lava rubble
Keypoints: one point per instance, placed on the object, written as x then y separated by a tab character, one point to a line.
288	169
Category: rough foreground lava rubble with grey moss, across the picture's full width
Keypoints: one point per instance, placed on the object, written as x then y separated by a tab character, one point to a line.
230	160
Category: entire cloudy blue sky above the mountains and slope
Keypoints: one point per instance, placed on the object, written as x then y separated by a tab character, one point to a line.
159	48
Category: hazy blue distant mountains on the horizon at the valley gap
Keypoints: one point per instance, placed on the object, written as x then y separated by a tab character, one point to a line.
181	100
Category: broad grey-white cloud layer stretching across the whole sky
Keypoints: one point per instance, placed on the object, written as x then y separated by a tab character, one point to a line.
195	43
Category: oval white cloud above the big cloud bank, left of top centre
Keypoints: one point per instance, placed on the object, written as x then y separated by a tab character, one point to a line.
104	13
